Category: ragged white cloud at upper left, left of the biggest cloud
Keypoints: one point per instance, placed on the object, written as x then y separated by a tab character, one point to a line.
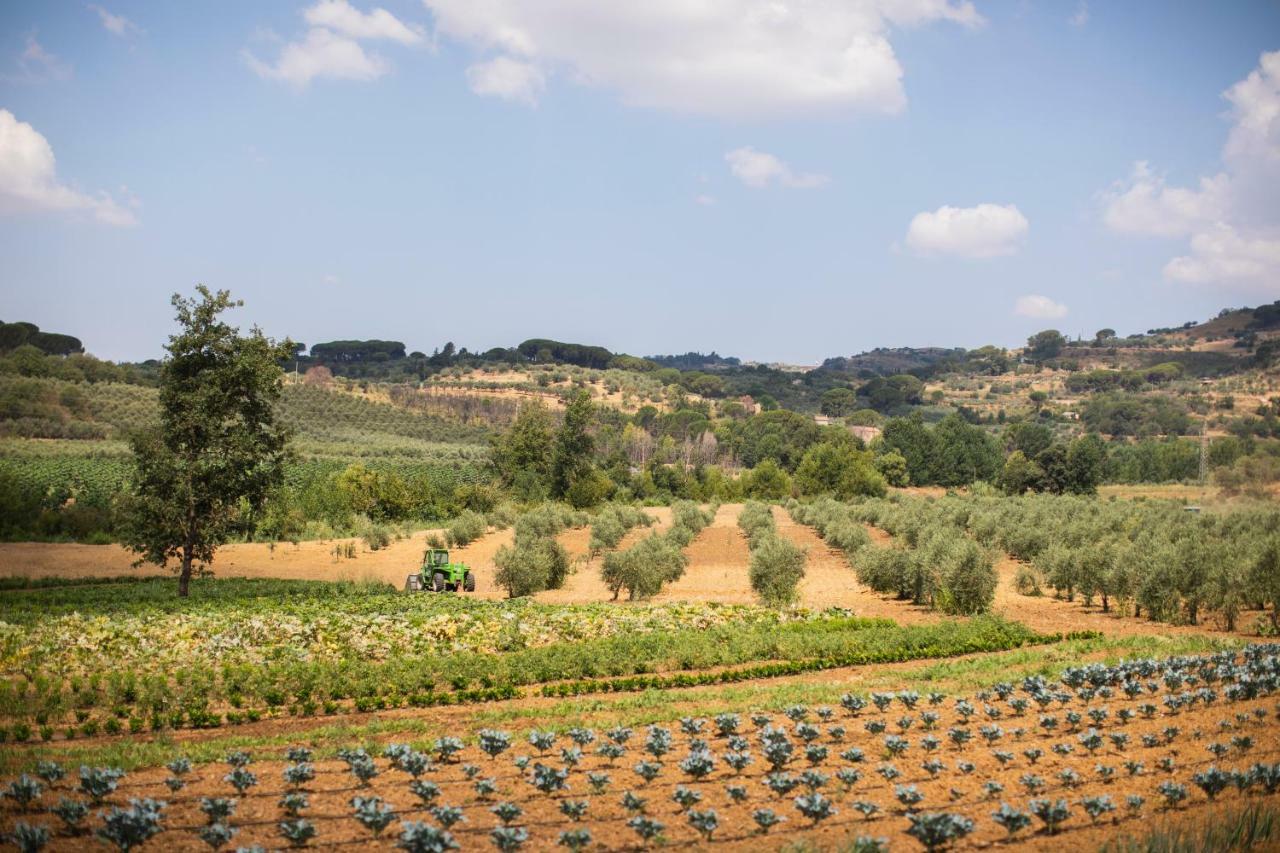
332	49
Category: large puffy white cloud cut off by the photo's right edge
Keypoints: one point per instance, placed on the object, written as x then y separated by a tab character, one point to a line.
1231	221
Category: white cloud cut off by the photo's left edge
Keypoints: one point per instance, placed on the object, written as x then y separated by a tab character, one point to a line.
29	179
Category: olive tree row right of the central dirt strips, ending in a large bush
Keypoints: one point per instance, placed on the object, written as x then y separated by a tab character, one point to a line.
932	563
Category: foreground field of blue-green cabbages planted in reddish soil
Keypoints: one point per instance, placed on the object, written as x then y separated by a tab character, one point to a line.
737	777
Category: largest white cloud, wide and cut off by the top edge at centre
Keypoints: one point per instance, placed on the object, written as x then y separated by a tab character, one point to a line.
728	58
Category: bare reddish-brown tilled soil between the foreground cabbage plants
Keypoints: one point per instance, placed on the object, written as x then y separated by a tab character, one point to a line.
258	814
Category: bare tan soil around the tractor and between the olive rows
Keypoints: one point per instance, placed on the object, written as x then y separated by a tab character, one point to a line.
717	572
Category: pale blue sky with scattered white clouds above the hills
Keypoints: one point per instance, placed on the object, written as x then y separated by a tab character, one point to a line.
776	180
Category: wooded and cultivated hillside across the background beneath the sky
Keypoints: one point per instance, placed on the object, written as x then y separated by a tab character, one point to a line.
383	435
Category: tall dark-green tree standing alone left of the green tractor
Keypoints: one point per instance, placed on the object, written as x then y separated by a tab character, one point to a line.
218	451
